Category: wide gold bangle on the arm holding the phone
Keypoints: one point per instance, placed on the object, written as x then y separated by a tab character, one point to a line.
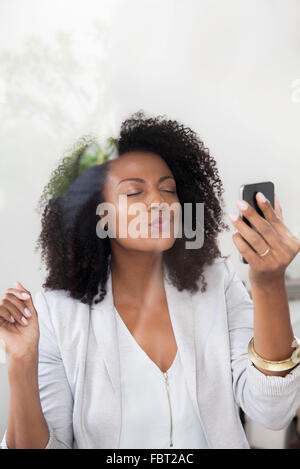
268	365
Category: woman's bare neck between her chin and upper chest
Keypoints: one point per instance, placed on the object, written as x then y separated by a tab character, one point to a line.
137	276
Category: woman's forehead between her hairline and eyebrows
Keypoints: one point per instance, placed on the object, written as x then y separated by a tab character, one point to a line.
139	164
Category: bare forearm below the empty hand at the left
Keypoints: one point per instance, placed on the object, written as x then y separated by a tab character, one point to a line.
26	427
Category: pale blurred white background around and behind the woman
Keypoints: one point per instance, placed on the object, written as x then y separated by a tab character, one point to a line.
229	70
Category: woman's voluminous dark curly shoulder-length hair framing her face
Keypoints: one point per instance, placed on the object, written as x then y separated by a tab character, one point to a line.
77	260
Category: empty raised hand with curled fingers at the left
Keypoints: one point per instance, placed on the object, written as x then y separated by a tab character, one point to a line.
19	326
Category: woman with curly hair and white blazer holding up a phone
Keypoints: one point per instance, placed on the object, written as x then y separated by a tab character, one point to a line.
137	341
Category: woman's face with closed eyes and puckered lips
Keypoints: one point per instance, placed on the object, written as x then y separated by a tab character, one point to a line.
143	215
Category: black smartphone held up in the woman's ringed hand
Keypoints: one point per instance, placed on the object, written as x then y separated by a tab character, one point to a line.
248	193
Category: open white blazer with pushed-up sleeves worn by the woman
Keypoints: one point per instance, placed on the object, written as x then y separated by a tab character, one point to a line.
79	369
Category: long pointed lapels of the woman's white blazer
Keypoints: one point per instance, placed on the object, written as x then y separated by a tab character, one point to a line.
182	318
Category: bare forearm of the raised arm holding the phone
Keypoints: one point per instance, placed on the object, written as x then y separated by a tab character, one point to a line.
273	333
